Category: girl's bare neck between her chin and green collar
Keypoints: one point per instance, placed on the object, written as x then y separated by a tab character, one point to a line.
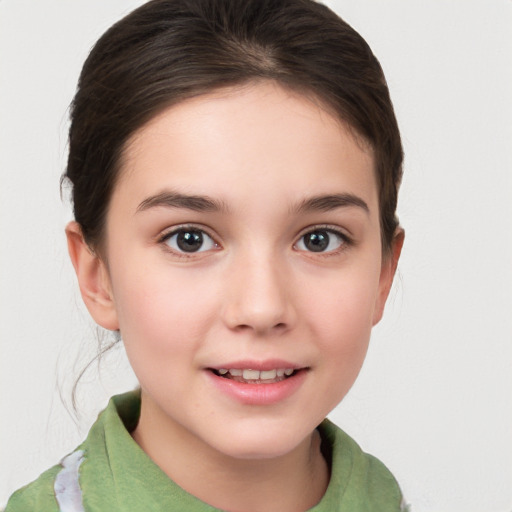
292	482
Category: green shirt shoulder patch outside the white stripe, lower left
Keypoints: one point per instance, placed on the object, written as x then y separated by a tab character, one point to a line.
38	496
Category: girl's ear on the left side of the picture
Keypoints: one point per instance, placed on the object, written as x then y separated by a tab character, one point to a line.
93	279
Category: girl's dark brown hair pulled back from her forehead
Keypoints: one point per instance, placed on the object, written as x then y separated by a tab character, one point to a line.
170	50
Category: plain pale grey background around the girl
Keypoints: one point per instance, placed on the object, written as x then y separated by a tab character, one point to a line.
434	400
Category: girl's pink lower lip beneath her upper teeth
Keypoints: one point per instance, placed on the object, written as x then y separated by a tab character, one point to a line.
259	394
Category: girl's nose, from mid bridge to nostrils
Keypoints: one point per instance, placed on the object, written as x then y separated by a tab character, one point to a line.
259	295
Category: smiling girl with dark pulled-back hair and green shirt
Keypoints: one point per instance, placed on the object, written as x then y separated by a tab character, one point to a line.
235	167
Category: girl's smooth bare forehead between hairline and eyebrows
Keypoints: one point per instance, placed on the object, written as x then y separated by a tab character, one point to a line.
277	141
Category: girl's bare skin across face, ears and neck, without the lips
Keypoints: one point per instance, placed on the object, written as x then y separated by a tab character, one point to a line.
254	290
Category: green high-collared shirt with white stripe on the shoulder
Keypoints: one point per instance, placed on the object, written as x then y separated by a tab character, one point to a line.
115	474
